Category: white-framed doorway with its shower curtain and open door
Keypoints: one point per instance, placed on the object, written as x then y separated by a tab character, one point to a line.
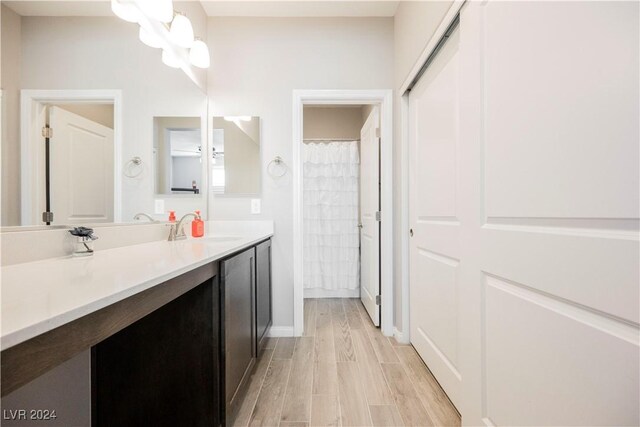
342	202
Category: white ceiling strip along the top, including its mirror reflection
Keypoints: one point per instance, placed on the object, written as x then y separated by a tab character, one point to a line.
290	8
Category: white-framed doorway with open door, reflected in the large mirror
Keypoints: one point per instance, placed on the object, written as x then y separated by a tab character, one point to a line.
70	151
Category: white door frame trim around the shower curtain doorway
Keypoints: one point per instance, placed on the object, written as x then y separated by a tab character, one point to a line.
384	98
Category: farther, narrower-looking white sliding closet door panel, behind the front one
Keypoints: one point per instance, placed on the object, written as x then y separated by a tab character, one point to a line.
434	218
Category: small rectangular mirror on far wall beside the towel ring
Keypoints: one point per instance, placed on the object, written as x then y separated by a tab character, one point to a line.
235	162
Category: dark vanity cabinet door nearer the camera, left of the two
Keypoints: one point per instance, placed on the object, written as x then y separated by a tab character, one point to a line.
238	278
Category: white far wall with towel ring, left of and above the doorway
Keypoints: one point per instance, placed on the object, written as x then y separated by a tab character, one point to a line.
256	64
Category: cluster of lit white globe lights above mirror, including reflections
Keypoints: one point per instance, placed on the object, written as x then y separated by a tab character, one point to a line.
161	27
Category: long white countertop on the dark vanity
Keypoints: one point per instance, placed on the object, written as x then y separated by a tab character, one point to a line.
42	295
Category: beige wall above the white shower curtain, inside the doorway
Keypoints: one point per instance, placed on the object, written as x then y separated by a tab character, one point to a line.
332	122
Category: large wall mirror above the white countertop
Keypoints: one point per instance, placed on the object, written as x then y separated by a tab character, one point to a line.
104	97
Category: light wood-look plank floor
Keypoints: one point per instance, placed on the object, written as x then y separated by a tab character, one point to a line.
342	372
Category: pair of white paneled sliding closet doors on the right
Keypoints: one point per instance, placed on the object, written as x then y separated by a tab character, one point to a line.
525	299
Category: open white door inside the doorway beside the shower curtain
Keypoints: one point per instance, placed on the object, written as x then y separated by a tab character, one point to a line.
369	205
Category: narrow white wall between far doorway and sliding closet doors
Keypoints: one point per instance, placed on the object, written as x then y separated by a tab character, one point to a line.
414	25
